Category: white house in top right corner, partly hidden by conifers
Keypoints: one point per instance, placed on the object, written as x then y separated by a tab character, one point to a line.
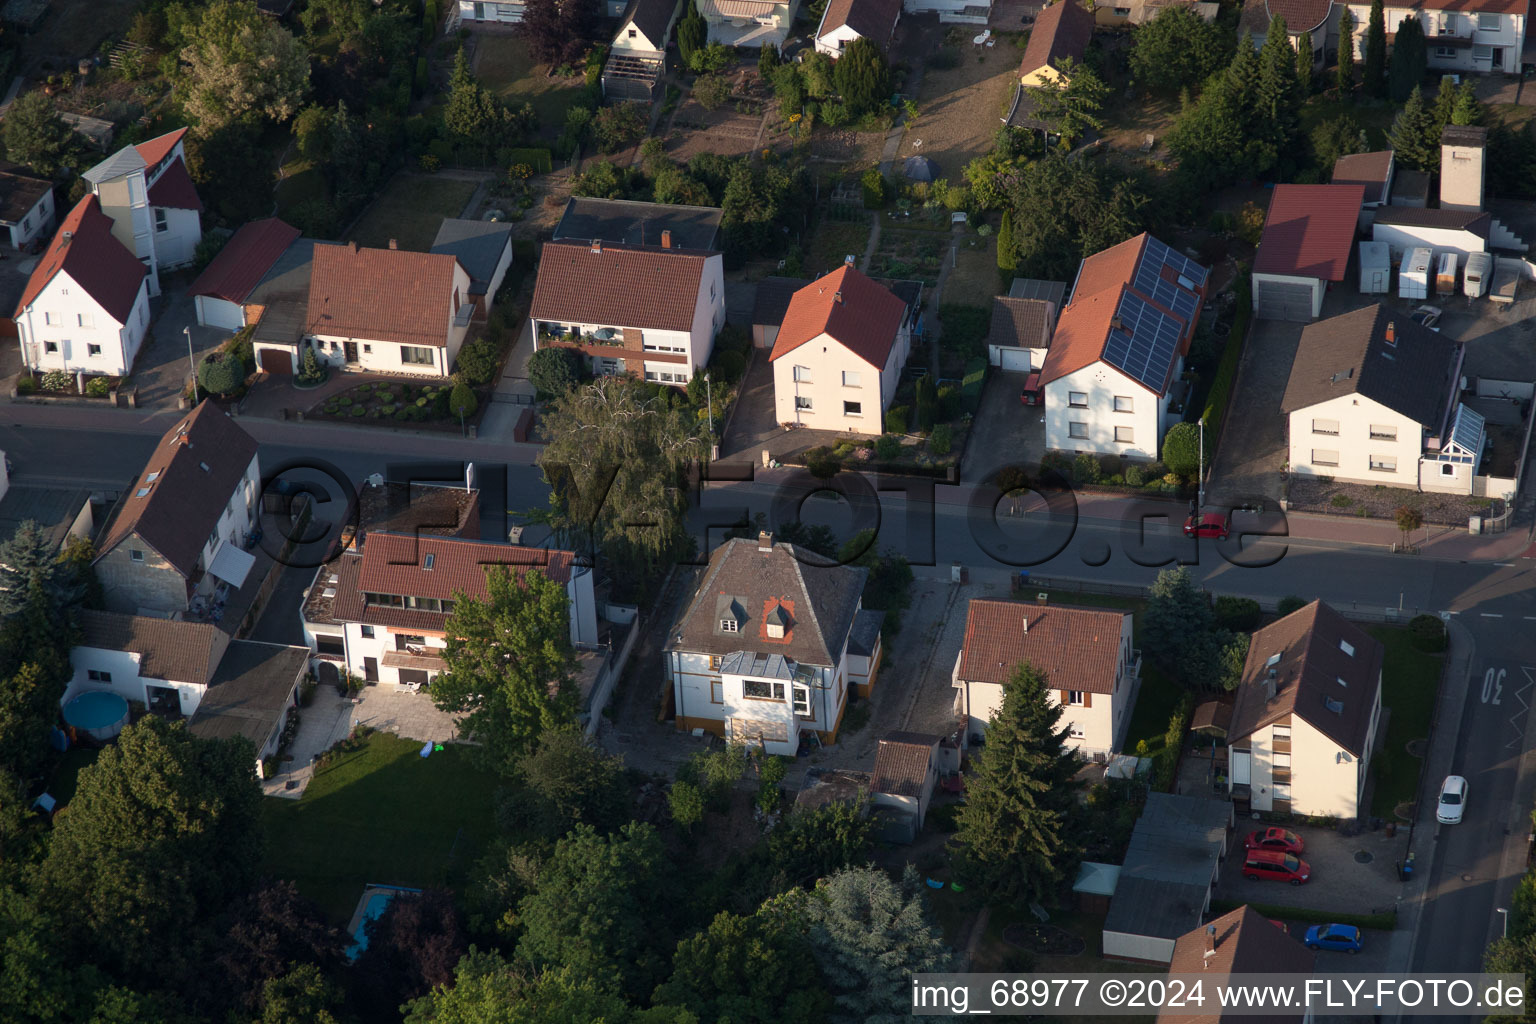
1483	36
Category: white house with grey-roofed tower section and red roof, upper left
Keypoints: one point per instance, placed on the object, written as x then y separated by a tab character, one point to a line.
153	203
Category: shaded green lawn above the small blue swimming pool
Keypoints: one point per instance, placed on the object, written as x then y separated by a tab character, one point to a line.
382	816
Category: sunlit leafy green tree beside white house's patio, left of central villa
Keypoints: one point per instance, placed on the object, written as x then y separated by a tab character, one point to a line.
511	661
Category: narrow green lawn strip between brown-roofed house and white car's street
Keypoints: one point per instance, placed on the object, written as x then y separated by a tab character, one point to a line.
1409	685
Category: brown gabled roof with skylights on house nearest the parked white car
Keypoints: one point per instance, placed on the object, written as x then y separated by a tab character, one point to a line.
1308	676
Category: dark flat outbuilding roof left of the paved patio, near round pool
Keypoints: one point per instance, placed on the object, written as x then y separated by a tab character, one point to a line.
250	693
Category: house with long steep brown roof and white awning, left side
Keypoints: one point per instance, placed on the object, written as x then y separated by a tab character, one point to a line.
180	530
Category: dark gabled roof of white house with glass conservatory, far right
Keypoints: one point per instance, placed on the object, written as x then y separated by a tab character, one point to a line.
1349	355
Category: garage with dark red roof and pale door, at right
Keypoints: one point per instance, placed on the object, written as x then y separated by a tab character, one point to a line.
1305	248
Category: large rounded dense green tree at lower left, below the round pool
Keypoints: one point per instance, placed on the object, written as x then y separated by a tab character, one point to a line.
164	831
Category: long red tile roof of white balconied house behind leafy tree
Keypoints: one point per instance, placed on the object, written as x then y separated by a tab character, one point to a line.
397	564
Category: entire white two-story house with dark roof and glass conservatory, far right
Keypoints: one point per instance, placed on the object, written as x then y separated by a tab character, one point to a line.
1374	398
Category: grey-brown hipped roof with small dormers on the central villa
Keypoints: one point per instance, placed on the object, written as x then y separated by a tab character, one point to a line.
752	586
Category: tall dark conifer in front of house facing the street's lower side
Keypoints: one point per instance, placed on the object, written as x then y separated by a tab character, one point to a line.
1016	830
